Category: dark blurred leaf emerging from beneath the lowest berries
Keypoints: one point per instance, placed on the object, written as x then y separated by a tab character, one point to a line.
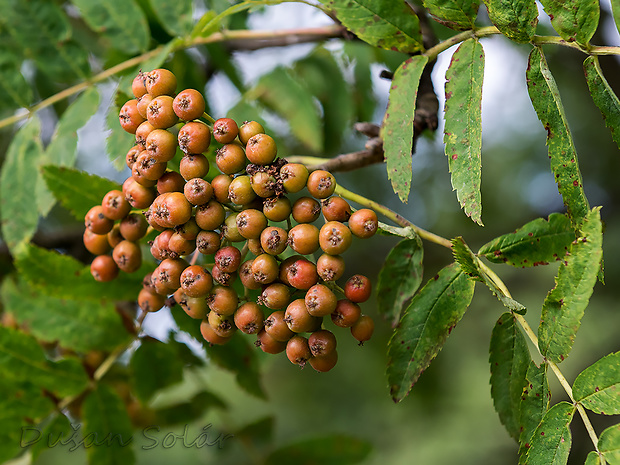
240	358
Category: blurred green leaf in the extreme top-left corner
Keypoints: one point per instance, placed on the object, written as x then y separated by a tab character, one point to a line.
43	32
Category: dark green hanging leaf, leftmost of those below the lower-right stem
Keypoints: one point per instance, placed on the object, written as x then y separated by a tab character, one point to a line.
509	359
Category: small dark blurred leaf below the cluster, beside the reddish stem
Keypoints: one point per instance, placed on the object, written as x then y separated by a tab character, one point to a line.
154	366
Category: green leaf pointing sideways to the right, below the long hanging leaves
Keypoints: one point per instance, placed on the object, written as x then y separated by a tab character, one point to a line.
536	243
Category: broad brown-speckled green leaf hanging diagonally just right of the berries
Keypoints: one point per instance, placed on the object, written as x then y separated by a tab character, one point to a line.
425	326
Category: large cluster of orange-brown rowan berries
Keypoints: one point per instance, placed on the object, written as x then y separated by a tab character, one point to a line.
281	294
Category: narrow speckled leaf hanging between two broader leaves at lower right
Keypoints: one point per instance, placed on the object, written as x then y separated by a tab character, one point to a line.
534	404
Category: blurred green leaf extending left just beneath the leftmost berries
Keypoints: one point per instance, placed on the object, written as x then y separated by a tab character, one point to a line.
66	278
